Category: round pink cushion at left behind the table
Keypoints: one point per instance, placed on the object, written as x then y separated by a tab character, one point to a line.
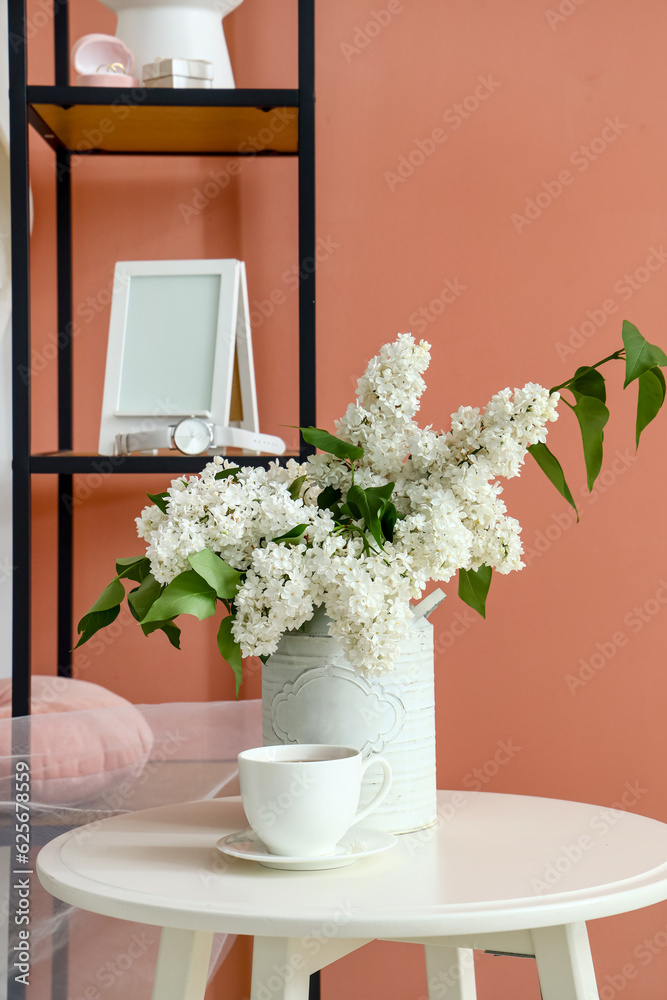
84	739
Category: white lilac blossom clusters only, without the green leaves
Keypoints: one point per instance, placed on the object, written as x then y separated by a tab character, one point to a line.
446	492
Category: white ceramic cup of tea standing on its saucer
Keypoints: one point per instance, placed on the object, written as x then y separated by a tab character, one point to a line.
302	798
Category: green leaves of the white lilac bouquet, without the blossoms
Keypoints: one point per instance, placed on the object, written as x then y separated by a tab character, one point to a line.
368	514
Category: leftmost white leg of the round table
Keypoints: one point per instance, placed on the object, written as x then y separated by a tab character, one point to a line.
182	964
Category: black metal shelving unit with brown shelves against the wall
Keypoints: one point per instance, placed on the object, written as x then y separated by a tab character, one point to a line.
153	122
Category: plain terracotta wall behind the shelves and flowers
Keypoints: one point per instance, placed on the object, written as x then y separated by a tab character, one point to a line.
490	176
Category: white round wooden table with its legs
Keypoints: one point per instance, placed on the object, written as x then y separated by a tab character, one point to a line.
504	873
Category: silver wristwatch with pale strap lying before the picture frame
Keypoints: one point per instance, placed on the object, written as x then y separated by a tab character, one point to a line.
194	436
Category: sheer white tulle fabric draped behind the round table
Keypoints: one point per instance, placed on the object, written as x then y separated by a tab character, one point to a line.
193	756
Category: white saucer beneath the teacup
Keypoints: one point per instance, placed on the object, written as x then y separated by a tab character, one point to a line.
357	843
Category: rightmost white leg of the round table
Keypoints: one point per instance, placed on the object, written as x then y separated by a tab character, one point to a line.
564	963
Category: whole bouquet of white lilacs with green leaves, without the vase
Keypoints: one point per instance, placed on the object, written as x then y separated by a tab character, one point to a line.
361	529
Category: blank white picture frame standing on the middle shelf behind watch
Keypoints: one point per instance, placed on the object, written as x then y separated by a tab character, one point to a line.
177	330
